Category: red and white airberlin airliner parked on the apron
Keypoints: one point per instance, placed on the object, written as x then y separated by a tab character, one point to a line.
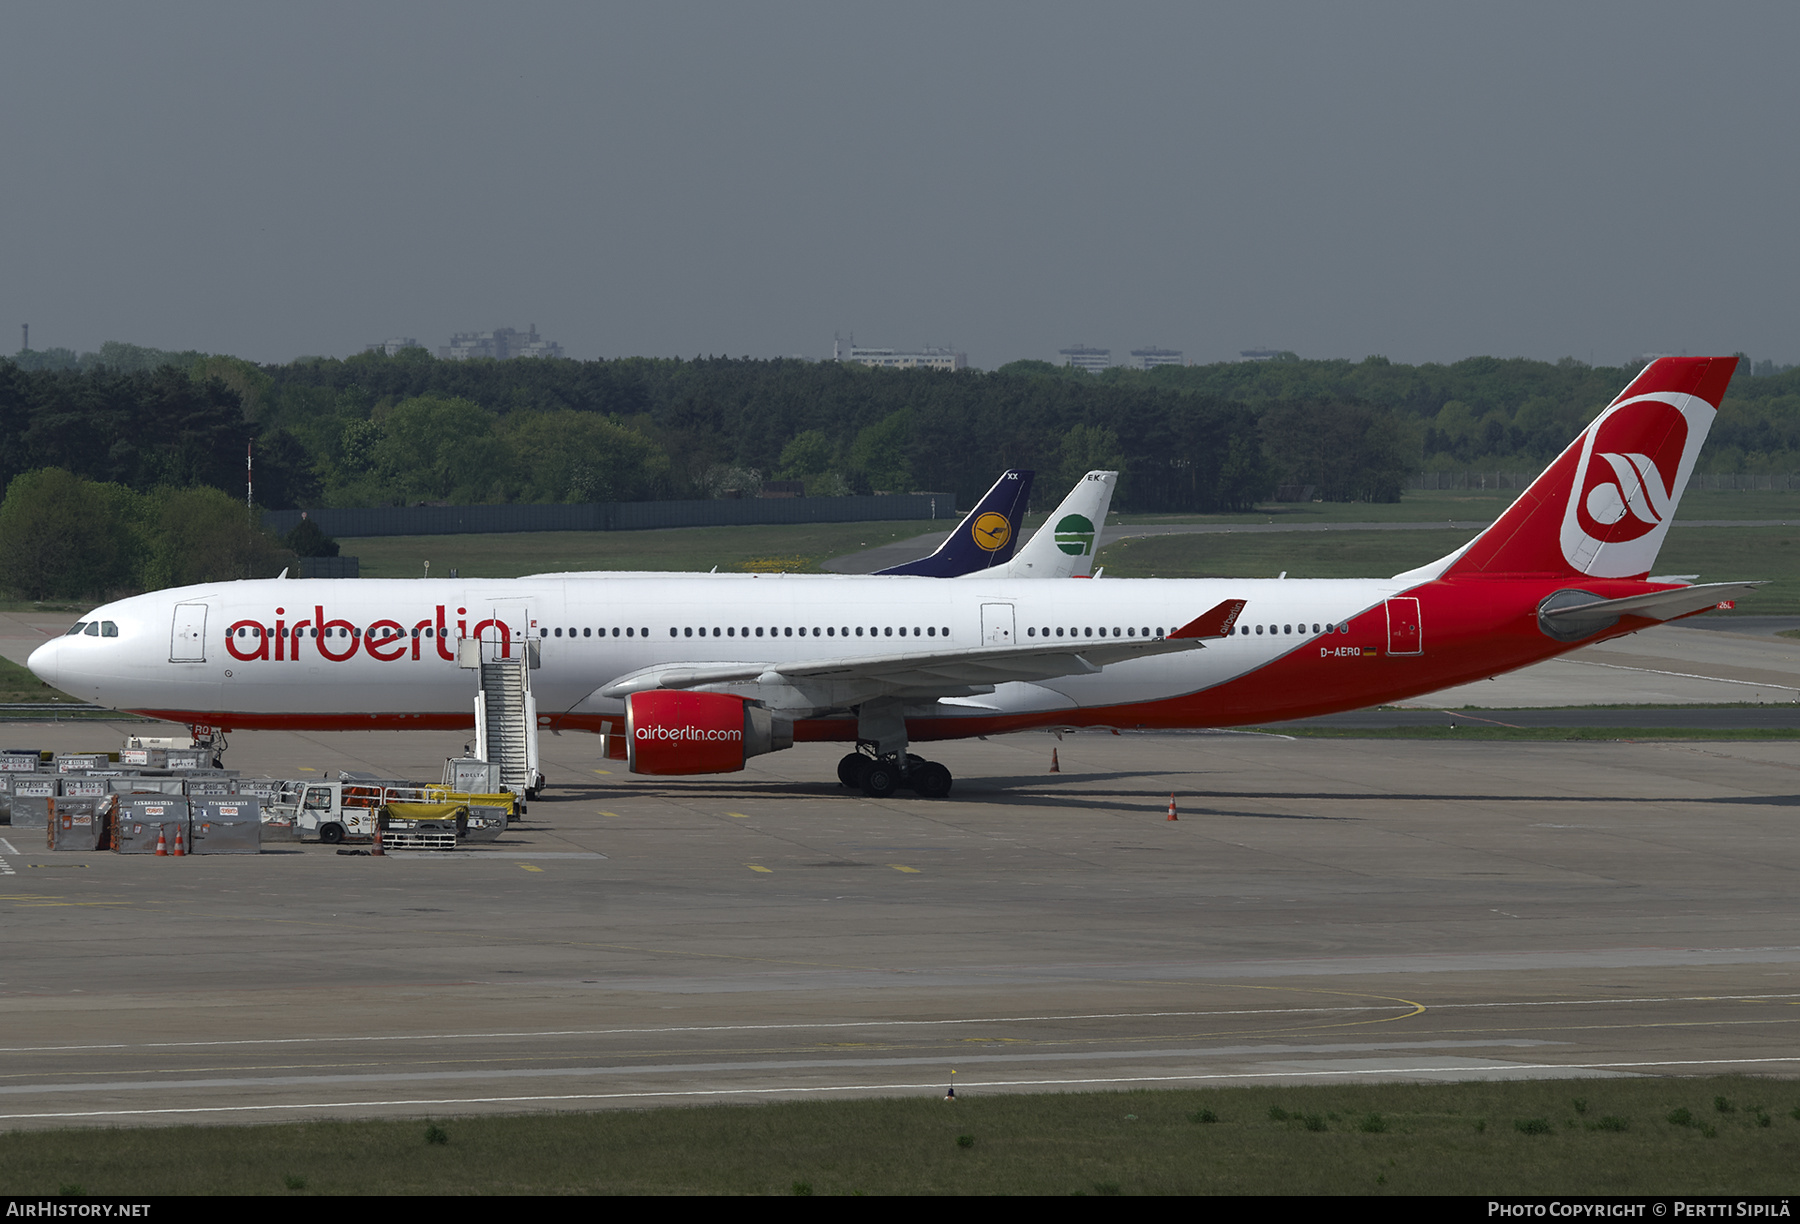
697	674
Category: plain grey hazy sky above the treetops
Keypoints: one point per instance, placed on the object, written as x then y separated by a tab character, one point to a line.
1426	183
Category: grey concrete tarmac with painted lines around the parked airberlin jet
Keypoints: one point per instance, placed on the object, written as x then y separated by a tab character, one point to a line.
1320	912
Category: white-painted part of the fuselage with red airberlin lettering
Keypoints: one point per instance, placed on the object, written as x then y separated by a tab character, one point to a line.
390	645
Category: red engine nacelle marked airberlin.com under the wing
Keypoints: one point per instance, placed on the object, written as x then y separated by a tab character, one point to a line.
699	733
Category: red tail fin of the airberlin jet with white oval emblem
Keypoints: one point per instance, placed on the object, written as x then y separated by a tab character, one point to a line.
1605	507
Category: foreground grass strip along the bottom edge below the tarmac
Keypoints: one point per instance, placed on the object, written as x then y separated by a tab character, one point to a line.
1621	1137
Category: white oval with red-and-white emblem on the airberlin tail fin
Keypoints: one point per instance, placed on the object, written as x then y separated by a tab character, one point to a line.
1633	465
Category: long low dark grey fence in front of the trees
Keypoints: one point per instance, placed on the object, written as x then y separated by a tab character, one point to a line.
390	521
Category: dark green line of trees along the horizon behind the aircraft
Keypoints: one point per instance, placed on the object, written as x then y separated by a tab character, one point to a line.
377	429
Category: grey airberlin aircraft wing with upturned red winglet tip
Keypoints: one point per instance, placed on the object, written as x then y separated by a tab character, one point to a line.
933	672
